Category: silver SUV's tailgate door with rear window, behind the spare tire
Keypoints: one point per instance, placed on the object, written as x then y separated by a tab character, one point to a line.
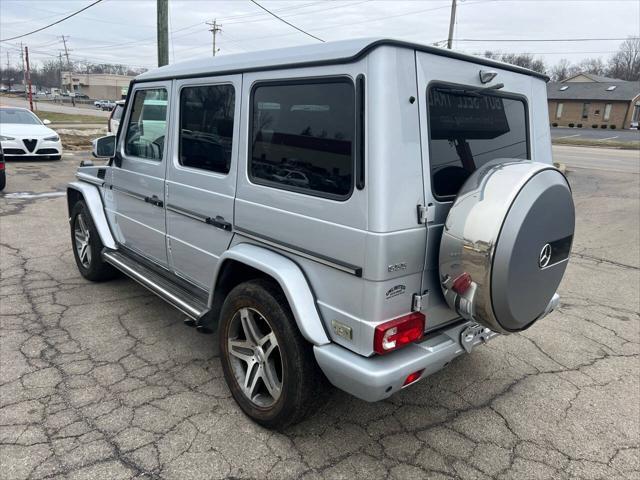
461	130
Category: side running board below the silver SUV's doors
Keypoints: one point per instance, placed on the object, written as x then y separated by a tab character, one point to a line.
185	301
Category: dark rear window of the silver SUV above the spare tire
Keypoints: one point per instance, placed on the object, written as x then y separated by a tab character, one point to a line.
468	128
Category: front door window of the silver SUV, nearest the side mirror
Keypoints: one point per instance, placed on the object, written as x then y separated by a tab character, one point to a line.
147	124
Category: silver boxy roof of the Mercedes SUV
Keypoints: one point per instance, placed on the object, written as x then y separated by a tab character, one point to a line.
343	51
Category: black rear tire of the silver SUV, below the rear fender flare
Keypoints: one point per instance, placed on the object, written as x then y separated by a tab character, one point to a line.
303	386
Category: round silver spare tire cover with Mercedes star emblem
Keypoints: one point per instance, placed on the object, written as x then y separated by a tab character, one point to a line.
506	243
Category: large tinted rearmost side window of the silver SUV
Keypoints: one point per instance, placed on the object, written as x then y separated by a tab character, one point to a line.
303	137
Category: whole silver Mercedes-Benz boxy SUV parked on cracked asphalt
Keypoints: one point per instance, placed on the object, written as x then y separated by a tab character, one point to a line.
358	212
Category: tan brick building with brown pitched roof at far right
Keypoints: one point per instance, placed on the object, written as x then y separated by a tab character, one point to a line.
593	101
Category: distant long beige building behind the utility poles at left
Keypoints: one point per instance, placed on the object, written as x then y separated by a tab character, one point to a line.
101	86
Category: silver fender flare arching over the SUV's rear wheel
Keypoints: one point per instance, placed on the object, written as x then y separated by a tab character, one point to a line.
290	278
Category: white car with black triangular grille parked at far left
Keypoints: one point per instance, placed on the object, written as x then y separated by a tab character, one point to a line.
24	134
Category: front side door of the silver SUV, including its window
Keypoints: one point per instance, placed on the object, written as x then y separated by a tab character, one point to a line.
137	195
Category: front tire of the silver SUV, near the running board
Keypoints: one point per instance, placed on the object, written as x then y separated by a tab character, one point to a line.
91	266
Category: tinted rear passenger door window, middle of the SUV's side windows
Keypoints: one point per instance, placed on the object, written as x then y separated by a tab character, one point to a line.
206	127
